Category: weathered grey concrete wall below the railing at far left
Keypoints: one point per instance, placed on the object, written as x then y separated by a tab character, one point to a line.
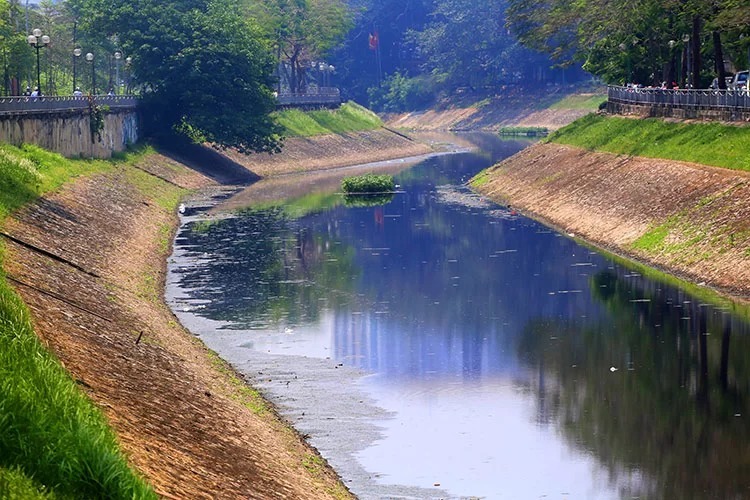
69	133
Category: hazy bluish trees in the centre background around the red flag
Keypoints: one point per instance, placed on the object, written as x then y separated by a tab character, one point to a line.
427	49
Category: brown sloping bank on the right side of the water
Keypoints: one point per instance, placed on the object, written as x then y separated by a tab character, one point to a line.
688	219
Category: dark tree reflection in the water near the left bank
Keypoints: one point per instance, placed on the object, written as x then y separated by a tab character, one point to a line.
262	268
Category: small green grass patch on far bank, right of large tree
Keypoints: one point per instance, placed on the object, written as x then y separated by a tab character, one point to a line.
350	117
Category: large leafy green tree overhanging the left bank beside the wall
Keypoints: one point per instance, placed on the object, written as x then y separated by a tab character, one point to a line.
205	70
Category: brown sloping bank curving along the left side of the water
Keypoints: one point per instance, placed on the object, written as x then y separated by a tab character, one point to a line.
89	261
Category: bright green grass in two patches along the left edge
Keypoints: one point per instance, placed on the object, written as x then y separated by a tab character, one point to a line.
54	443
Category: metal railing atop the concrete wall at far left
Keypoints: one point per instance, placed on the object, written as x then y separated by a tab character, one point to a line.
30	105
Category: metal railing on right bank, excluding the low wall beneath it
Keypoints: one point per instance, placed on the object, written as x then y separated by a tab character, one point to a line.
691	99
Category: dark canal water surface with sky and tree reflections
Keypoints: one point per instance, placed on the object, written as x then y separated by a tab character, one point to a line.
513	362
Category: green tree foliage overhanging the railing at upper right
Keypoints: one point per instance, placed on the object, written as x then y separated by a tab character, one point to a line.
647	41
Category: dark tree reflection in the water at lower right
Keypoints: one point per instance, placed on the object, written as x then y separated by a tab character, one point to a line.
675	407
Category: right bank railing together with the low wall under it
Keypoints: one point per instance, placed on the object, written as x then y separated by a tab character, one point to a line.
730	105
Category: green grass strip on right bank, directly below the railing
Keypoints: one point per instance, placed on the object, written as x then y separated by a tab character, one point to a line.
713	144
